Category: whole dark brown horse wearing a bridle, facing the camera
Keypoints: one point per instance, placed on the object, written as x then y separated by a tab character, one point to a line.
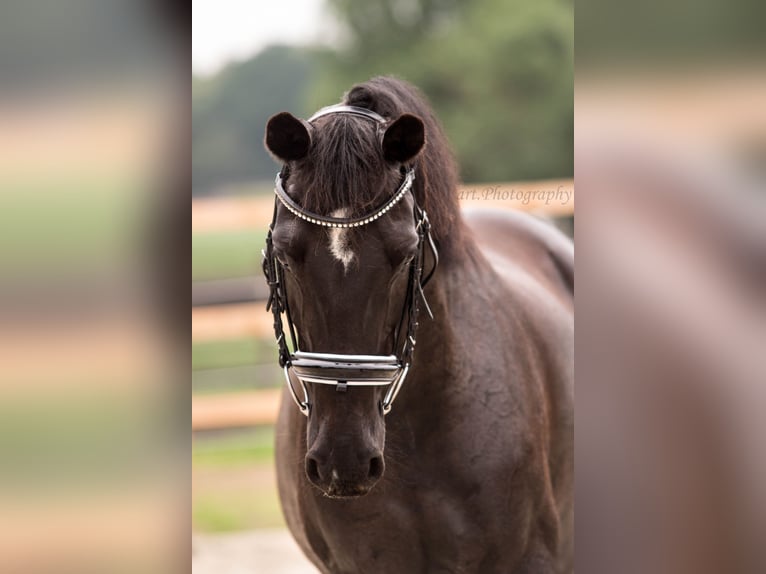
427	417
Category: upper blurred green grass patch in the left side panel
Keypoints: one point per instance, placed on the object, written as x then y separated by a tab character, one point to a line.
69	225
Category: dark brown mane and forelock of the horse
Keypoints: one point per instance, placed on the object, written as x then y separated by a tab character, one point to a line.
347	149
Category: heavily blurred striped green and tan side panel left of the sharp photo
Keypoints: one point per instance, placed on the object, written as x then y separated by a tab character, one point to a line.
92	130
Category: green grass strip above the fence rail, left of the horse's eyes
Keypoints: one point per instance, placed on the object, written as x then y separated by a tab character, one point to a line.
229	254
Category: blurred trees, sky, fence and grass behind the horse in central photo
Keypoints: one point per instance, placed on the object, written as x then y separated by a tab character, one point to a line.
499	75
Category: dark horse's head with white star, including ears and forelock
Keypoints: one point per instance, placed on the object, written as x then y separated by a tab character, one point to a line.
346	277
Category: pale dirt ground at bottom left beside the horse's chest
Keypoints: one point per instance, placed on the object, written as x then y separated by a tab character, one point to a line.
254	552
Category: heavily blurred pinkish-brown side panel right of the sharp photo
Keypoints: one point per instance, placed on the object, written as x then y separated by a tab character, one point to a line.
670	163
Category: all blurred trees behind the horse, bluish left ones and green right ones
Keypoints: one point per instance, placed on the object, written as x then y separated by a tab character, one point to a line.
498	72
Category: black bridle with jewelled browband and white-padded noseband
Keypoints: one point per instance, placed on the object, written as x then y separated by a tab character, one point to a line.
349	370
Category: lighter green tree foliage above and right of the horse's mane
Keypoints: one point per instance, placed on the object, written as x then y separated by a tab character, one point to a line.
498	72
